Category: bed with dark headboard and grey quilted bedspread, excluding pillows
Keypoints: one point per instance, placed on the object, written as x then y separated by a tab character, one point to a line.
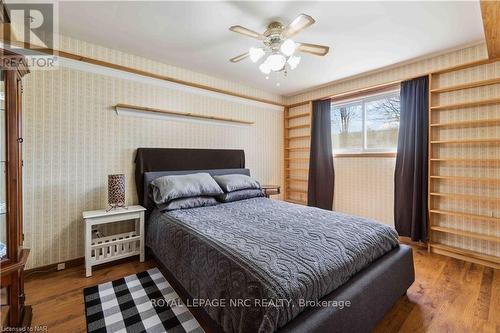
262	265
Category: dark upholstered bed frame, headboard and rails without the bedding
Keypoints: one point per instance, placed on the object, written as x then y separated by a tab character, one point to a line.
371	293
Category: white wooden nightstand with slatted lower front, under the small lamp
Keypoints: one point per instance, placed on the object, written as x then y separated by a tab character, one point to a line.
114	247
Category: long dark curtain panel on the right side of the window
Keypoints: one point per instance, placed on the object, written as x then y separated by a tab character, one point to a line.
410	179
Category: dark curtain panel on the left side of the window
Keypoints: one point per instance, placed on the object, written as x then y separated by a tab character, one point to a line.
321	174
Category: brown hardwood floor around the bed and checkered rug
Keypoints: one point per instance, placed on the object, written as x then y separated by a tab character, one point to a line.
449	295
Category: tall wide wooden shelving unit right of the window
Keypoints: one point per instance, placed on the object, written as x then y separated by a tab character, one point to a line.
454	237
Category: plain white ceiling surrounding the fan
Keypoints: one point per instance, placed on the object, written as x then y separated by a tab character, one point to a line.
363	36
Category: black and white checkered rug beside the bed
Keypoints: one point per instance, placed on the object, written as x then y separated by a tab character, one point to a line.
144	302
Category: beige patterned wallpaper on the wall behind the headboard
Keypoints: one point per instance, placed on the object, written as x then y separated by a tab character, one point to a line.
74	139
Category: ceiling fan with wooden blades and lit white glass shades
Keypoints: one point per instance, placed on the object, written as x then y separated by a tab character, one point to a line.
278	45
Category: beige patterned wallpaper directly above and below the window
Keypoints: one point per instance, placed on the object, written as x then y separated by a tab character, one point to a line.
365	186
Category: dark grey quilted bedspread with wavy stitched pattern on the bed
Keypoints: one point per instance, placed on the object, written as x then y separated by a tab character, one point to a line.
271	254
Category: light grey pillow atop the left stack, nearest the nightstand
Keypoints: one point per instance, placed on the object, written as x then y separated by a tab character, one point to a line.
168	188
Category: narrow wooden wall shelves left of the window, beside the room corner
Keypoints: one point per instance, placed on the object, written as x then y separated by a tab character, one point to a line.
297	137
